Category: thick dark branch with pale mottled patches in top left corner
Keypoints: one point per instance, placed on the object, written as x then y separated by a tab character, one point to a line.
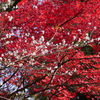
9	5
